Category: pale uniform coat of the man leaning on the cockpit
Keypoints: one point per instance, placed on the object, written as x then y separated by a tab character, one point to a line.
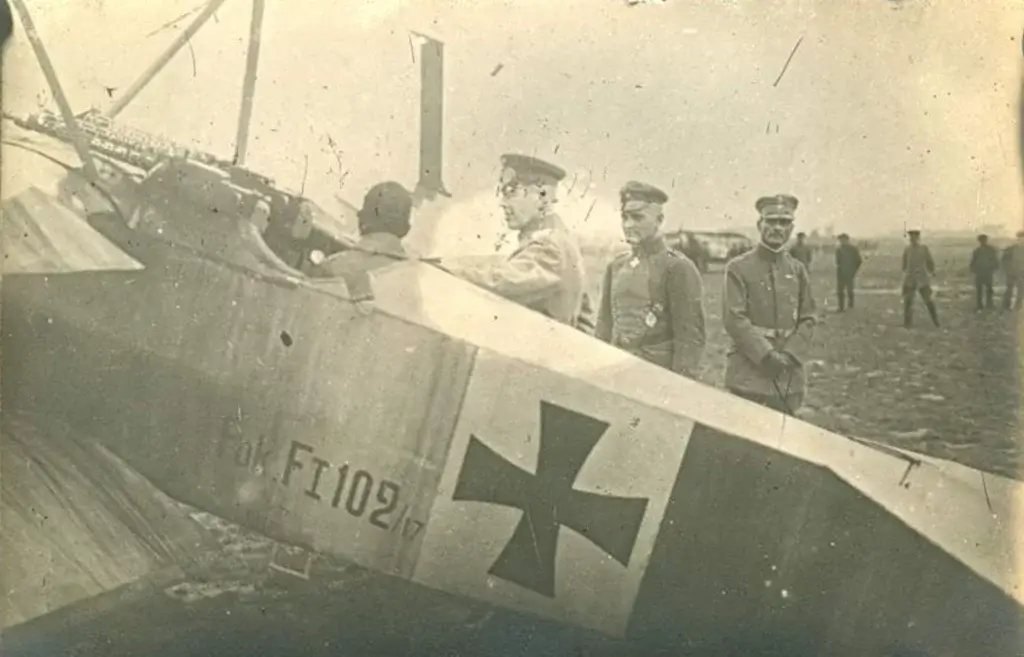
544	274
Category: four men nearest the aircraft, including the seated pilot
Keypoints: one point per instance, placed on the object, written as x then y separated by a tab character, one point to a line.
652	300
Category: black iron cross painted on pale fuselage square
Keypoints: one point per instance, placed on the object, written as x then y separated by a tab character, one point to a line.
548	500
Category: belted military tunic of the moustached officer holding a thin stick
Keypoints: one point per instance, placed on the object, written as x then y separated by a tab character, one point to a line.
766	296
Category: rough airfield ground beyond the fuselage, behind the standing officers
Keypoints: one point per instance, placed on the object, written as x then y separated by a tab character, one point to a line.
952	392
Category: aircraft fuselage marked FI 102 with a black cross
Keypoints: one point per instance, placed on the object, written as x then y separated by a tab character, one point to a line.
452	440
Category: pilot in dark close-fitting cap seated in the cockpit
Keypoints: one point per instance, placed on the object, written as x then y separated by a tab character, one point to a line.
385	221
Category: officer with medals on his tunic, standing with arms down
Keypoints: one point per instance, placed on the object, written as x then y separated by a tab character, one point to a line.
653	297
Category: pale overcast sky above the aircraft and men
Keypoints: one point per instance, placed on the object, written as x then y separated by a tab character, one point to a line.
890	112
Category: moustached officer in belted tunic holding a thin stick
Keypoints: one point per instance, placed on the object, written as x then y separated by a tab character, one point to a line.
769	312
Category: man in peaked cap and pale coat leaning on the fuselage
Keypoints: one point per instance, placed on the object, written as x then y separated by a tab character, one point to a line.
546	272
